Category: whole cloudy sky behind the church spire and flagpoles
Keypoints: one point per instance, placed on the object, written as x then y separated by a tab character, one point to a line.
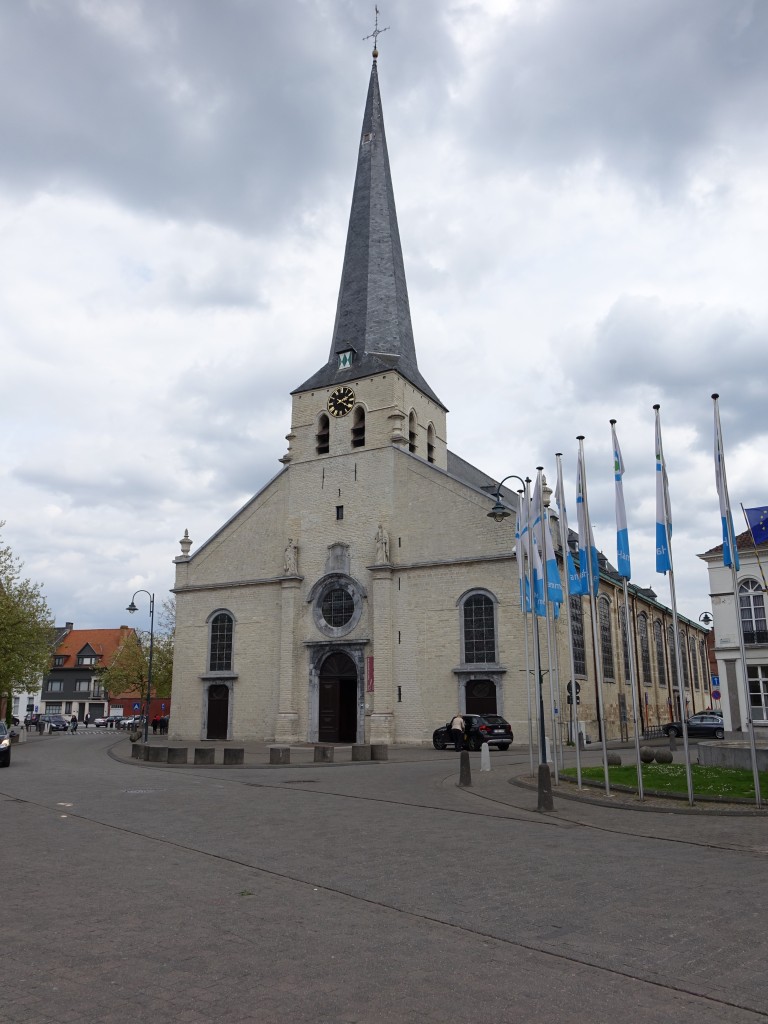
583	205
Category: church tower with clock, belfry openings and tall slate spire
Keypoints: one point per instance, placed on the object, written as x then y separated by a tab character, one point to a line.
370	394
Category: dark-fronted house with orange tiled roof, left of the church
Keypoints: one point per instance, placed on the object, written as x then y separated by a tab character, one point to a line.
73	687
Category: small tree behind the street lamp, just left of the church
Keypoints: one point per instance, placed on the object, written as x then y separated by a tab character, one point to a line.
130	668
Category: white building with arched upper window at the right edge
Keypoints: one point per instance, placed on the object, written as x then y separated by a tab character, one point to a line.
746	614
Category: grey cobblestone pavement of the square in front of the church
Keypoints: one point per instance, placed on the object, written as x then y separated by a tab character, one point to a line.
364	892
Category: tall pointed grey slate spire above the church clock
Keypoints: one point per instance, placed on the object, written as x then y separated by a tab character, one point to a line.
373	316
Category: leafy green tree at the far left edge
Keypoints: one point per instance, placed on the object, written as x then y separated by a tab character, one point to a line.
27	630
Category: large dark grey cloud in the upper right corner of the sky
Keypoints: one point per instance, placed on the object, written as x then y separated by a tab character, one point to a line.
644	88
